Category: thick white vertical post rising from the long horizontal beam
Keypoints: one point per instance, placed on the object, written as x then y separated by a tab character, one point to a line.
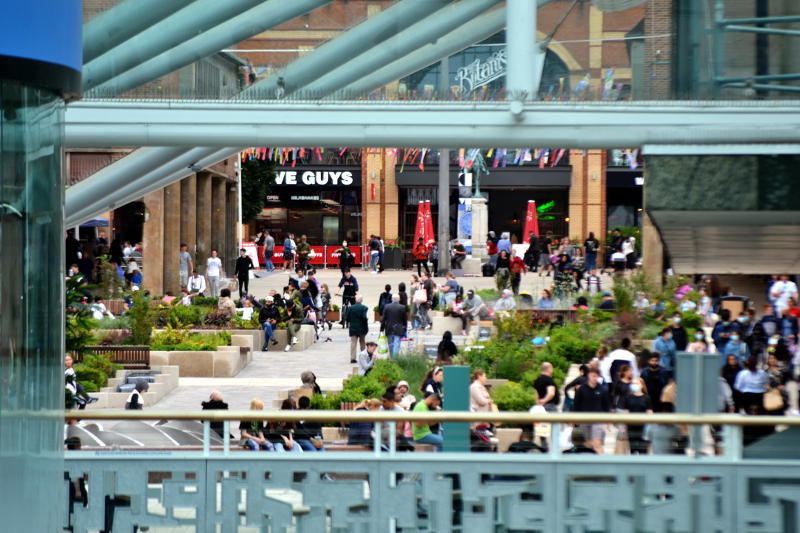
521	49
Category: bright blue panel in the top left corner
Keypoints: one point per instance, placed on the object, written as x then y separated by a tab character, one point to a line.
43	30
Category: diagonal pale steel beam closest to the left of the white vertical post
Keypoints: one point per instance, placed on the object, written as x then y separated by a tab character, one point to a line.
428	29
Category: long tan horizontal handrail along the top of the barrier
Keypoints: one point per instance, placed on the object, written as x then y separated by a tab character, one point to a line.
435	416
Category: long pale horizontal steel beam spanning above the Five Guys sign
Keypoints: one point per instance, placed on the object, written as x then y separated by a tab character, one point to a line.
368	124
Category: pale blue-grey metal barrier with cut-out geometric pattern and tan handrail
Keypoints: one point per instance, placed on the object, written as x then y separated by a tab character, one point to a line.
377	491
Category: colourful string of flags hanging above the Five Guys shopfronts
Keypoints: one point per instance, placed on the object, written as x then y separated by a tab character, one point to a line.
499	157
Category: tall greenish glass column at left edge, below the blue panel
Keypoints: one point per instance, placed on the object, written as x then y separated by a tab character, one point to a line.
31	297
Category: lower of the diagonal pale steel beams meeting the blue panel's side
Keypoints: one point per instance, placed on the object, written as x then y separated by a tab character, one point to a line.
184	24
